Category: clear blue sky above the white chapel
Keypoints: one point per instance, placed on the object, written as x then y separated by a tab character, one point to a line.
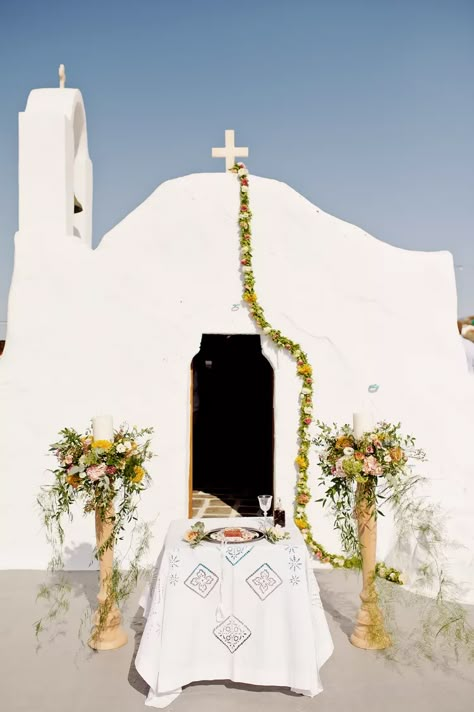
366	107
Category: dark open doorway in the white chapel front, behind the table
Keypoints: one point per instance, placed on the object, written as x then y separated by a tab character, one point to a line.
232	436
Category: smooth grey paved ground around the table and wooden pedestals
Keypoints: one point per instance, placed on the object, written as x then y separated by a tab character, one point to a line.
65	676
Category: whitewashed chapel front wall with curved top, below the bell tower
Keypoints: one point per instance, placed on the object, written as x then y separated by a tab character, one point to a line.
114	330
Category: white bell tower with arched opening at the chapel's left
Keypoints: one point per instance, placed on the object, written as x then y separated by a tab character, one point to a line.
55	171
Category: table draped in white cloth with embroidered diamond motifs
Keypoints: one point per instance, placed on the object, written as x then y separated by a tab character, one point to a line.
249	613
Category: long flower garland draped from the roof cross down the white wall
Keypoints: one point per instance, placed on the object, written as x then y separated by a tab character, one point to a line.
304	372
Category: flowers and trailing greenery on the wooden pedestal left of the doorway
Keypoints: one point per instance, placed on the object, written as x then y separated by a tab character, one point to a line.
97	474
